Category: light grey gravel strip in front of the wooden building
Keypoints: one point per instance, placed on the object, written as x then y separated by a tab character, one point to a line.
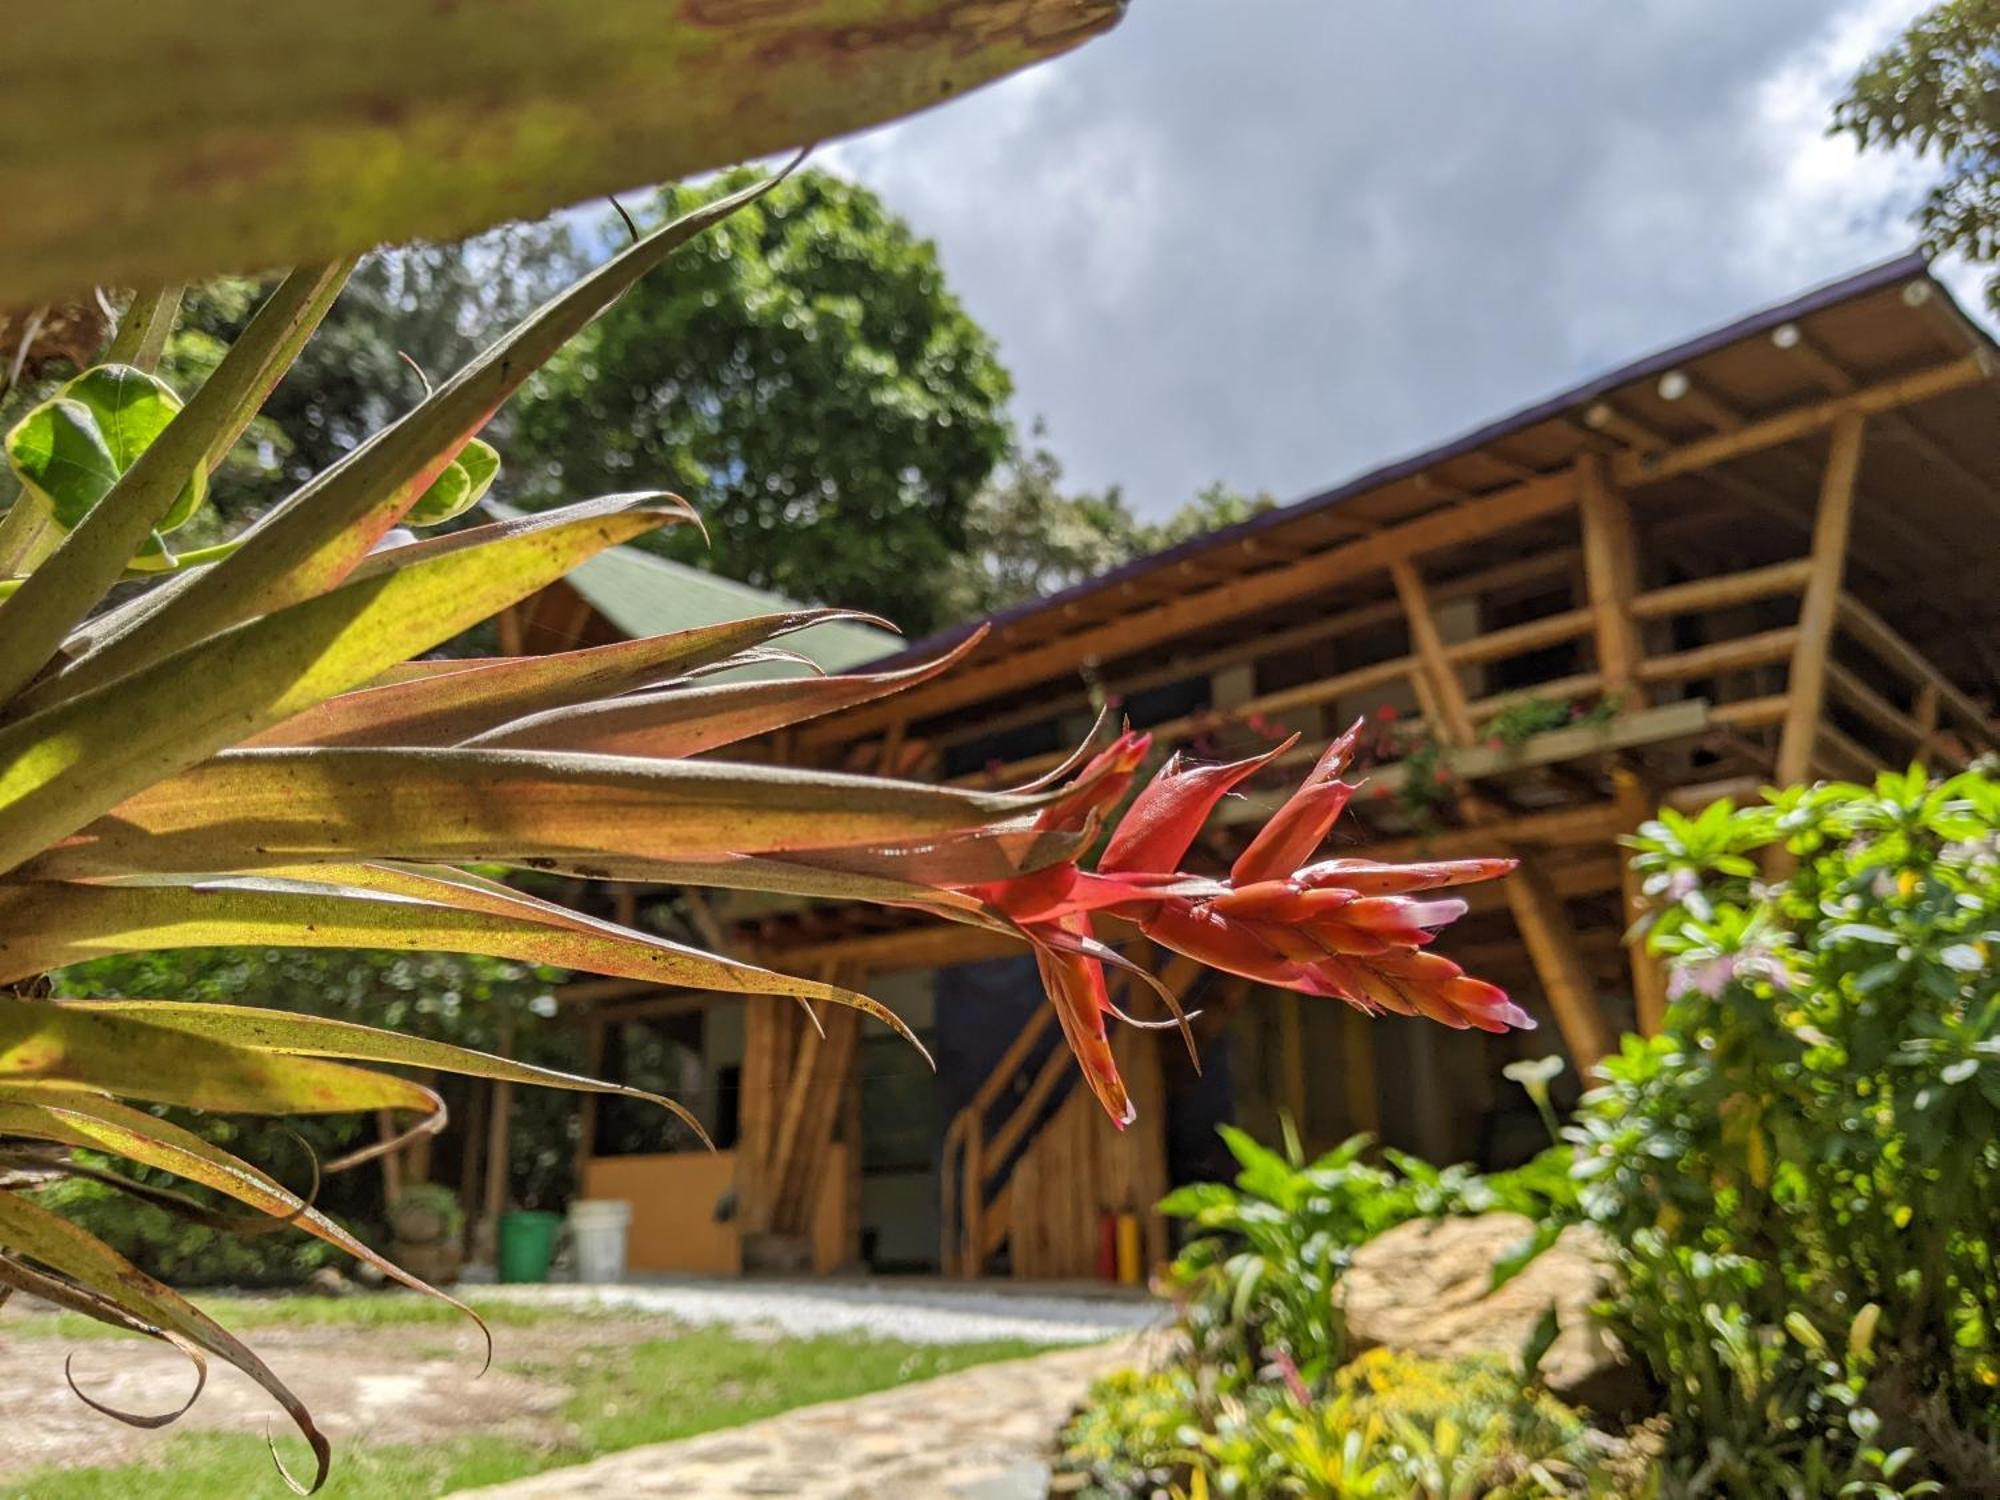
931	1313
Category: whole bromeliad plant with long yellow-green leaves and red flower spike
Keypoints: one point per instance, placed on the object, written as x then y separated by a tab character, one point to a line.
245	753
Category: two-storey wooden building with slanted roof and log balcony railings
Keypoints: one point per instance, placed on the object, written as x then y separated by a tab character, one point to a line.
1761	557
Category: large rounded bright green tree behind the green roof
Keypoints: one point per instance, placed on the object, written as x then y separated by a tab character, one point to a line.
811	377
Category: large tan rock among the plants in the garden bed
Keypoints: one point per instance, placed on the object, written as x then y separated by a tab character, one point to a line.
1423	1289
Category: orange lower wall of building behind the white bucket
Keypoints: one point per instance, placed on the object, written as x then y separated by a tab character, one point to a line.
675	1211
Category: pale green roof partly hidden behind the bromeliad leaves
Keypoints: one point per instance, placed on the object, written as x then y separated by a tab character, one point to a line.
649	597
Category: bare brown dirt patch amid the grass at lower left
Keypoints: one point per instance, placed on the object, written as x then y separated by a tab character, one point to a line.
397	1385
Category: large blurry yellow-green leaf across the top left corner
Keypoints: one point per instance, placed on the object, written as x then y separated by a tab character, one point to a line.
389	121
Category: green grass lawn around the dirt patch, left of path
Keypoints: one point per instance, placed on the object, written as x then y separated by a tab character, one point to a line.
621	1395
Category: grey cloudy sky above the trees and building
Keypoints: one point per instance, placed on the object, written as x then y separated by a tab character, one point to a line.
1279	241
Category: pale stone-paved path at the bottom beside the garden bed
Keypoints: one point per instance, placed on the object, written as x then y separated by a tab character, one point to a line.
977	1435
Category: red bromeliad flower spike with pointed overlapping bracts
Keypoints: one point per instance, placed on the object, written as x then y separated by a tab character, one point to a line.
1347	929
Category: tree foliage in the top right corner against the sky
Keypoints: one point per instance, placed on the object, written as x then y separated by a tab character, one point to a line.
1935	91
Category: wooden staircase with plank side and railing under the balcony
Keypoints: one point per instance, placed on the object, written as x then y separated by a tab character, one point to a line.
1033	1165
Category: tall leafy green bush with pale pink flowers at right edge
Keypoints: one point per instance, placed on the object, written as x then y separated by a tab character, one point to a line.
1803	1173
